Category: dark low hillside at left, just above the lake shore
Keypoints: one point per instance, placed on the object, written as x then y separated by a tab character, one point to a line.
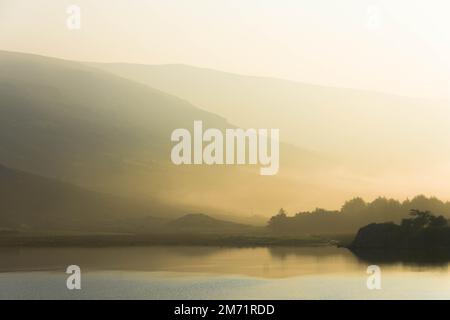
34	203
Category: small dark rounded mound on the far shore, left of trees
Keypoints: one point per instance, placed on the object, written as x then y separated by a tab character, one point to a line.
203	223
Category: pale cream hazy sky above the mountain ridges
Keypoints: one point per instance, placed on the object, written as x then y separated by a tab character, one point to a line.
397	46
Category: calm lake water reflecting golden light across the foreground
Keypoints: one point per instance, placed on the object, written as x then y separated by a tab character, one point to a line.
158	272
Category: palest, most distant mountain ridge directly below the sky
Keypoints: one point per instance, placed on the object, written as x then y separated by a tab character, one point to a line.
372	133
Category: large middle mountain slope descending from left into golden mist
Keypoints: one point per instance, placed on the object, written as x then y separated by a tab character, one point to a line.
71	122
